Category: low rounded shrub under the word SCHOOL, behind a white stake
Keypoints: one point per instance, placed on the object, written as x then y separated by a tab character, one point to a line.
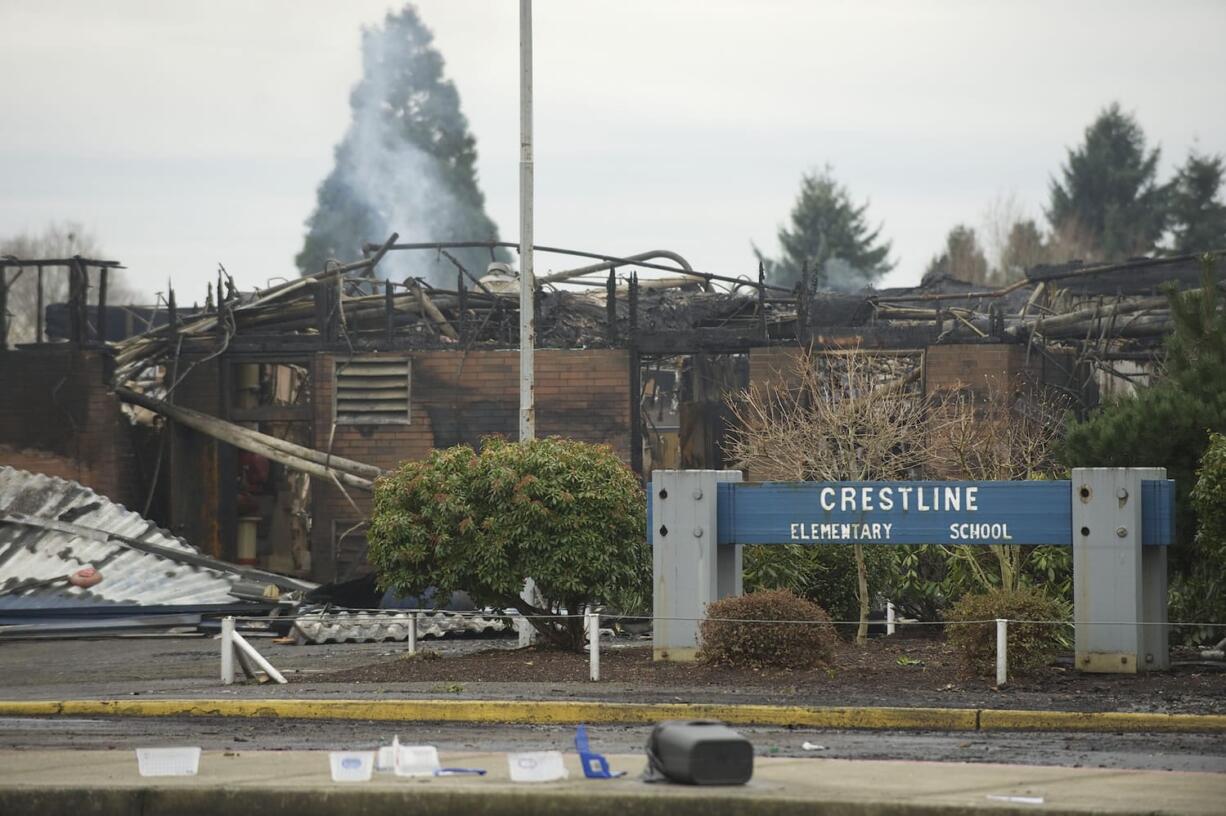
1032	646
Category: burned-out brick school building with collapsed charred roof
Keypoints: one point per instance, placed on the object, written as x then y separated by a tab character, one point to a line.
254	426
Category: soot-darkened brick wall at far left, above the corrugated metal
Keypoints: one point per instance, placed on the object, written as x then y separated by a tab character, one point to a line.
59	417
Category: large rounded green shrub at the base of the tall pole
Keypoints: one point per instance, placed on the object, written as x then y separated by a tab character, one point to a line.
568	515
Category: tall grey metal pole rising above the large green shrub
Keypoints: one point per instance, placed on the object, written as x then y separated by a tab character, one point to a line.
528	281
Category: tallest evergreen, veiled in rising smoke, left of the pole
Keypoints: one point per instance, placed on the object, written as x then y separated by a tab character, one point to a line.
408	164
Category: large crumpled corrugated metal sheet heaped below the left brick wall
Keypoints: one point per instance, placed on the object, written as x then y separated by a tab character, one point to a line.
131	576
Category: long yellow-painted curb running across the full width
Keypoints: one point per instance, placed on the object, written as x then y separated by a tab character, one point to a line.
571	712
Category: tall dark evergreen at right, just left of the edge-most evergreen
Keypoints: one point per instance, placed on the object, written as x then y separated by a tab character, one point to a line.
1108	205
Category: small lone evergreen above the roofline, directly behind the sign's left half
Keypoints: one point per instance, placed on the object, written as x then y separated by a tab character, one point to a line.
831	237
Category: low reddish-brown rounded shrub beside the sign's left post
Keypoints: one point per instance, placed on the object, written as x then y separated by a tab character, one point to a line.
751	645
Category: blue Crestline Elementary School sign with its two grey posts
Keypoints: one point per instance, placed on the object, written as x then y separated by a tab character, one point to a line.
1117	520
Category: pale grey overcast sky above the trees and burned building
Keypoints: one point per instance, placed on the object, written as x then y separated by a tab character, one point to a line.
188	134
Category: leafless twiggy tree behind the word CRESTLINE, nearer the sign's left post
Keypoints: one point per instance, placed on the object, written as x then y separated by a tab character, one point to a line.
836	417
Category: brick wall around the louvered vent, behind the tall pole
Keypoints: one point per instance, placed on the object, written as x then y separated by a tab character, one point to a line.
457	398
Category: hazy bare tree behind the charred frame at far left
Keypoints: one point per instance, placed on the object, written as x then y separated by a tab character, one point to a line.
57	241
